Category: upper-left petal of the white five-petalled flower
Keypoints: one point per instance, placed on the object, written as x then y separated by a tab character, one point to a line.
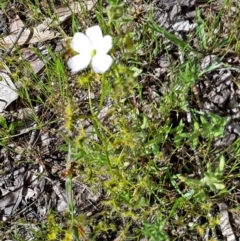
81	43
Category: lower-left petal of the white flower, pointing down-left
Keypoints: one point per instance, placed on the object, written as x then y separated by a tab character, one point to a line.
79	62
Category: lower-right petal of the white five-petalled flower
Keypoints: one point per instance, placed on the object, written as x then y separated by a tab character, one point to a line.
101	63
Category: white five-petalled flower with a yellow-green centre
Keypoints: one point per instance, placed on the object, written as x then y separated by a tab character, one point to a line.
92	47
